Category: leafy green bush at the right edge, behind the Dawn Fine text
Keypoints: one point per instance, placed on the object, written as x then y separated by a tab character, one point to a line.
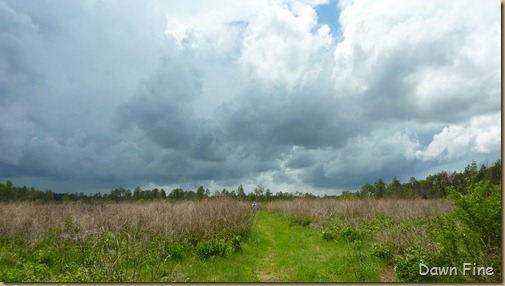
471	232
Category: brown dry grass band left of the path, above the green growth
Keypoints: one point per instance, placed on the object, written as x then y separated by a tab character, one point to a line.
188	220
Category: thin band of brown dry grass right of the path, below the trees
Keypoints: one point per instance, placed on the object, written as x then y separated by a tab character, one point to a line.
328	209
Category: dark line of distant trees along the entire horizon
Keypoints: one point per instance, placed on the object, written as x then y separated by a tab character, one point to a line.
433	187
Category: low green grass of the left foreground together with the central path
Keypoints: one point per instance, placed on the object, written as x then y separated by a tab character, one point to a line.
274	251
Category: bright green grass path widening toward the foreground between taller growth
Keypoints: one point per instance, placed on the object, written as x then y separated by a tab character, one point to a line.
278	252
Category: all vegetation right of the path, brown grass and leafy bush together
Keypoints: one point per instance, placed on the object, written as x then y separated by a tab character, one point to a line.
405	233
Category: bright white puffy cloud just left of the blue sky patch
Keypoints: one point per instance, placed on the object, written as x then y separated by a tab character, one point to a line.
280	46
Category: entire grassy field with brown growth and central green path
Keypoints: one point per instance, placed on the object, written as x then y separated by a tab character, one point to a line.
222	239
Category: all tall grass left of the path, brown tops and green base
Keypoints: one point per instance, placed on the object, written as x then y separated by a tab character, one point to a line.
85	242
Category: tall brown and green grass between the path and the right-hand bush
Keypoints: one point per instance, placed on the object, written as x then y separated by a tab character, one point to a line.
391	230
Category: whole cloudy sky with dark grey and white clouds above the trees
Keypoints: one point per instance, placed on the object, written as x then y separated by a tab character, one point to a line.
294	95
